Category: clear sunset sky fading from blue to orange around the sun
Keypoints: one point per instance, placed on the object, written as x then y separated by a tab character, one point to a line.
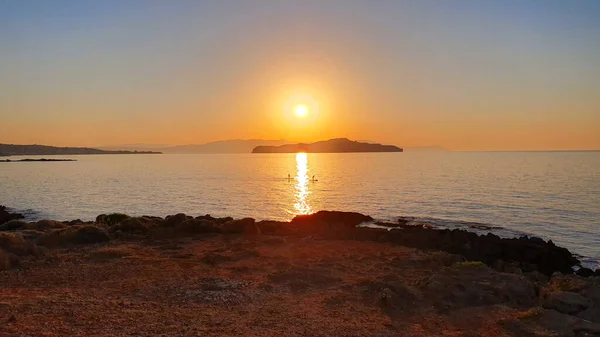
466	75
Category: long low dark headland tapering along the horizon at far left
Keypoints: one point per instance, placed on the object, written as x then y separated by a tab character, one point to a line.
43	150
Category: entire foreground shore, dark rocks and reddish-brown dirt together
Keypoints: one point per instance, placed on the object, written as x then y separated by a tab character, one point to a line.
317	275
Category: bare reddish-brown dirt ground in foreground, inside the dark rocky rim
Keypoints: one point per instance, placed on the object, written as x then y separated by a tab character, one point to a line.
236	285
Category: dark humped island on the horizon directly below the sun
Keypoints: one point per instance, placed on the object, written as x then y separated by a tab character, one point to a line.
337	145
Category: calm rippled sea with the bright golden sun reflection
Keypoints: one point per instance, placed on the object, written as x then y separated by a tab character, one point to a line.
553	195
